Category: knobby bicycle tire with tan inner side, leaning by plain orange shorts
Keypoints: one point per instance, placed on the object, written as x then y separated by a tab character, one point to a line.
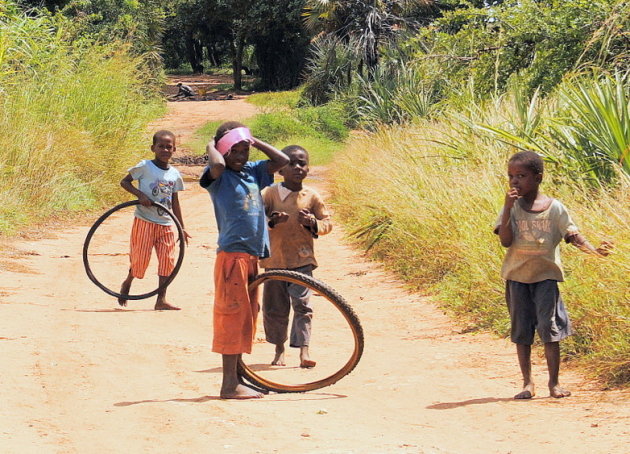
340	303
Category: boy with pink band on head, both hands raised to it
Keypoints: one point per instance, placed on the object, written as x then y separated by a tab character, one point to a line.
234	184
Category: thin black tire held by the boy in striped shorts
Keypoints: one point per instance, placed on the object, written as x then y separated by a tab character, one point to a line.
101	219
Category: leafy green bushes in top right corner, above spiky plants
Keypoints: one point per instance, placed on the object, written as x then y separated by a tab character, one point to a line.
538	41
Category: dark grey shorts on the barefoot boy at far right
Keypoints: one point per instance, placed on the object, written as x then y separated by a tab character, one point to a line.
537	307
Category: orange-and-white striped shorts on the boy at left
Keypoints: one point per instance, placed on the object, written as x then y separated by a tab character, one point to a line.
144	237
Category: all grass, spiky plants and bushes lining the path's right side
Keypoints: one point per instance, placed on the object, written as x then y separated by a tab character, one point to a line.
441	113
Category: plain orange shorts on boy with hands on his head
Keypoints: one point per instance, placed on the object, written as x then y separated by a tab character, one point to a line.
235	307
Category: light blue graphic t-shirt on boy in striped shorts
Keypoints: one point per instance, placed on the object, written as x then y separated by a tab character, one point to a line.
159	185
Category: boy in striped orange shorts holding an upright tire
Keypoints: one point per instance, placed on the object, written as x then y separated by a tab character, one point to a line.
152	228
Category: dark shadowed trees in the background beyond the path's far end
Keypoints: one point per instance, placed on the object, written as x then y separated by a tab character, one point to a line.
220	29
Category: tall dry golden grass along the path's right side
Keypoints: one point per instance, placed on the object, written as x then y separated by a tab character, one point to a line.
435	191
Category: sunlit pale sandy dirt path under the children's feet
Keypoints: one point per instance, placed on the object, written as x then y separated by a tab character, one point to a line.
81	376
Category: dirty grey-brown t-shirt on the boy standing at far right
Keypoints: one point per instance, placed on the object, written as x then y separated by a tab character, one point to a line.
534	255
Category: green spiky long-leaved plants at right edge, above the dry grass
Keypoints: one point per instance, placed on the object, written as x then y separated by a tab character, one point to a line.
586	124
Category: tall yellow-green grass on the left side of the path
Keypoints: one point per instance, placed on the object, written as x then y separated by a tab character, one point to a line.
73	117
